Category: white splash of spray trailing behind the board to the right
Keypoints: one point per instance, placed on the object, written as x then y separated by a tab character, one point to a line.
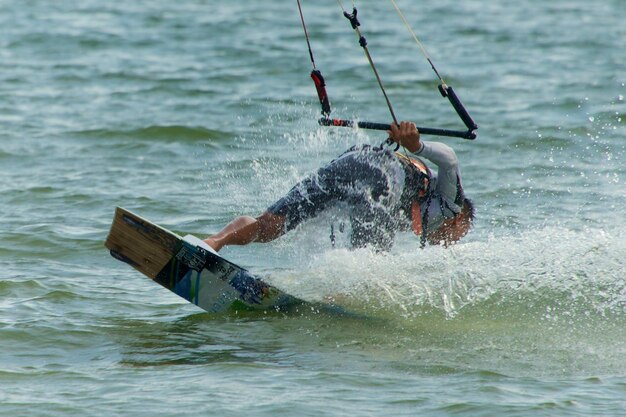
574	266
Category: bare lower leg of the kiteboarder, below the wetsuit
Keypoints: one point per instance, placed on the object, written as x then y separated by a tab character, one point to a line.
246	229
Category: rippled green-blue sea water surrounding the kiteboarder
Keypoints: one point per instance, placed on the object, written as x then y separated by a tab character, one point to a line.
192	112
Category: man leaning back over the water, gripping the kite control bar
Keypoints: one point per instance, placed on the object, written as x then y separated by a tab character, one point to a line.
384	192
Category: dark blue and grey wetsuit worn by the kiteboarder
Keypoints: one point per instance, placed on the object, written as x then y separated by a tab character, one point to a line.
379	186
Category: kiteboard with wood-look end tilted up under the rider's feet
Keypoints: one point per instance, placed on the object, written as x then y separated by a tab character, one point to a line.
189	267
